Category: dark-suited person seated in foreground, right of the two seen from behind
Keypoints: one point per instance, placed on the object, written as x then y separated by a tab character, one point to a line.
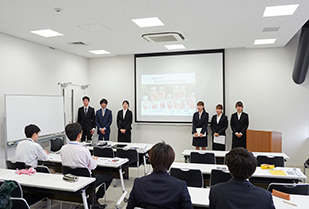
238	192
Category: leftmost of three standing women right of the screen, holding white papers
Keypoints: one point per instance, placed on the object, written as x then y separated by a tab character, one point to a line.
199	127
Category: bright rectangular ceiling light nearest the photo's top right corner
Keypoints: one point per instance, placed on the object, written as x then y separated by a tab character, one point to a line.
282	10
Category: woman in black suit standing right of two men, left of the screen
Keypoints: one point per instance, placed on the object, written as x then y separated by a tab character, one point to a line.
124	122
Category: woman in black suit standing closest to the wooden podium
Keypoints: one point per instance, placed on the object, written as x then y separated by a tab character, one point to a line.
239	125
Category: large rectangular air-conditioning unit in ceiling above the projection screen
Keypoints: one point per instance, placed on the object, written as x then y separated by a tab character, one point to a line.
163	37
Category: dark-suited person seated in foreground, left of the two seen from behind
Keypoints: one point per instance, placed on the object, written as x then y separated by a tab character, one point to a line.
159	189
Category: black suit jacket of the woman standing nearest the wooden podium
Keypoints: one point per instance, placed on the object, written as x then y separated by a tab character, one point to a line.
241	125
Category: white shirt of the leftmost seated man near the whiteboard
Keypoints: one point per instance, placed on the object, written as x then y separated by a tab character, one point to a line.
29	152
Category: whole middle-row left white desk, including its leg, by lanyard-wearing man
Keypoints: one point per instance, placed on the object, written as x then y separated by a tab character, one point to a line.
102	162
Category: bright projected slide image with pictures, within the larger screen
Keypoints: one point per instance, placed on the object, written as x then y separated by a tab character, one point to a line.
168	94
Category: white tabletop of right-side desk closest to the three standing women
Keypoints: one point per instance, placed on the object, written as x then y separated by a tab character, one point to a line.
222	154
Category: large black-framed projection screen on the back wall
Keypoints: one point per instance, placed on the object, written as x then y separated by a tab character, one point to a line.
168	86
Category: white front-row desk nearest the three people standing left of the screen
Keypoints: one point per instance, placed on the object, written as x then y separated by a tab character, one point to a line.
142	149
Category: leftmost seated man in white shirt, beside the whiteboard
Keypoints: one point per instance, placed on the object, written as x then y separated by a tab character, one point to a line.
28	151
